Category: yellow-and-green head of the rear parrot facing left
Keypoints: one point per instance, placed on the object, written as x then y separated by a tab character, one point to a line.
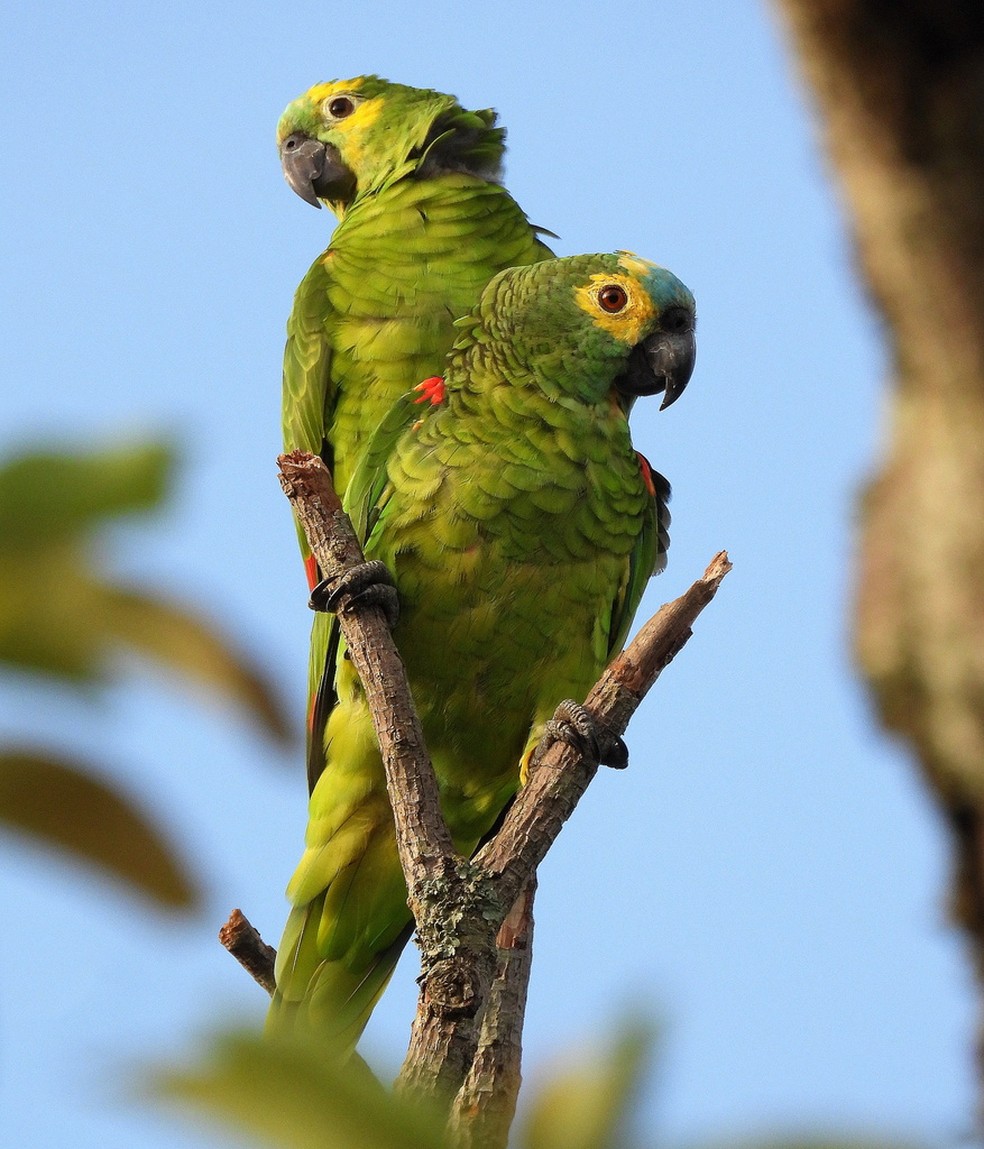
345	138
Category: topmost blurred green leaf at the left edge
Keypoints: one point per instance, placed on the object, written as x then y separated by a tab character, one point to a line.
45	496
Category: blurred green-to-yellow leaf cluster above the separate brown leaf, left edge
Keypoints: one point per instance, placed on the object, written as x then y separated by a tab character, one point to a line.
60	616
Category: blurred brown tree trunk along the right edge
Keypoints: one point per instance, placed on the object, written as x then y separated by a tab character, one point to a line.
901	89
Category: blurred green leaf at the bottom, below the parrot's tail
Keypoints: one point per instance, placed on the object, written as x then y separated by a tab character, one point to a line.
282	1091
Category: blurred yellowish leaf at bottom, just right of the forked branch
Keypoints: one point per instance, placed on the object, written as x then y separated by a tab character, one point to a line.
586	1105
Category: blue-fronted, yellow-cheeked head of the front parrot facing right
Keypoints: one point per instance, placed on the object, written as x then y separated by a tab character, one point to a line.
611	323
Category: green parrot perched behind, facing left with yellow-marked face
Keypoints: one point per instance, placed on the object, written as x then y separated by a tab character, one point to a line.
424	227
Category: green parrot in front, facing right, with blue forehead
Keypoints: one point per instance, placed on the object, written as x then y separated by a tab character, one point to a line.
521	529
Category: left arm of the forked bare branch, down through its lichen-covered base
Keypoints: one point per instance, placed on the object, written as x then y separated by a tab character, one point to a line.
455	904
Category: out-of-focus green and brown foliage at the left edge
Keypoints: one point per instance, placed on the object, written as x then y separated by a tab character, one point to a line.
63	618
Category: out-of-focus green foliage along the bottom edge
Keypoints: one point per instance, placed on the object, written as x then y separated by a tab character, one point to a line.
279	1091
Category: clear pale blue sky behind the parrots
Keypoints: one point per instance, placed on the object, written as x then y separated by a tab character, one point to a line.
767	880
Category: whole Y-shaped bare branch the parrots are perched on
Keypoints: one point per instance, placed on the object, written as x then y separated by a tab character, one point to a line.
467	1030
